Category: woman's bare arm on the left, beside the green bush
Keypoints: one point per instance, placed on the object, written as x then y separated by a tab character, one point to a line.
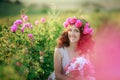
58	66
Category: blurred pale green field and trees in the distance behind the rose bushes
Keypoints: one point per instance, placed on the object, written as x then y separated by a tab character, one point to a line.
98	9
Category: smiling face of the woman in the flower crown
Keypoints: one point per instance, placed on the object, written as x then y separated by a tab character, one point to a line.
73	34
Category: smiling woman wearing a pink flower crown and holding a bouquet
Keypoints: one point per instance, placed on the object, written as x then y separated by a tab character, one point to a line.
72	52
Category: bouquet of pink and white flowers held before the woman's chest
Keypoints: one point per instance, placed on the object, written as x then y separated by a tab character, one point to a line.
80	69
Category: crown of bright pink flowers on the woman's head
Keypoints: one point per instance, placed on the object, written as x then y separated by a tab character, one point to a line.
78	23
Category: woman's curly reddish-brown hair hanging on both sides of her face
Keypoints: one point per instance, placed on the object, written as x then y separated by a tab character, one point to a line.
85	43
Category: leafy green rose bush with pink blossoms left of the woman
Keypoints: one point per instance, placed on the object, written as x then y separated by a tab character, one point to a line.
29	47
